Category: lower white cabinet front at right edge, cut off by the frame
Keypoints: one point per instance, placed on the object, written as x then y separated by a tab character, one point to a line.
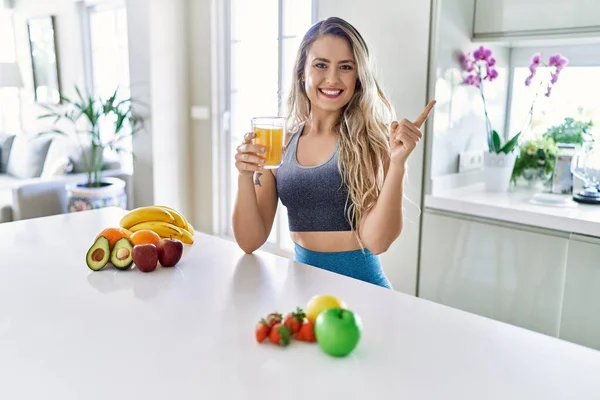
580	322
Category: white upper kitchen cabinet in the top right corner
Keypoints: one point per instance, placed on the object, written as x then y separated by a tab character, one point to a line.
497	18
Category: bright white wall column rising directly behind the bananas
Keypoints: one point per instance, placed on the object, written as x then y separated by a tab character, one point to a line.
170	103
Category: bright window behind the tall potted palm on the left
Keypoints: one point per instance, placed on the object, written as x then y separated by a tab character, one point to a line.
108	59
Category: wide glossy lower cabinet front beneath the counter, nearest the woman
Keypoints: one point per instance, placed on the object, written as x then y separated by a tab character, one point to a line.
505	272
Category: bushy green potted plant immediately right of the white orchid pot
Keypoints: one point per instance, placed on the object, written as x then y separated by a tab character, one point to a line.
537	156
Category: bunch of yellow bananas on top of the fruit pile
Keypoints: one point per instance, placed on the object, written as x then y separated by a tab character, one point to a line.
165	221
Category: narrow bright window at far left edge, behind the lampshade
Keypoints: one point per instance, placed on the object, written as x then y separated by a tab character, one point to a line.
10	101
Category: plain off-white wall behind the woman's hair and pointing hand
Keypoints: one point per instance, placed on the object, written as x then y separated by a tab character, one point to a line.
399	42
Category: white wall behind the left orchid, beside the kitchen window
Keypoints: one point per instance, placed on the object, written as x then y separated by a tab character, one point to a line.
458	123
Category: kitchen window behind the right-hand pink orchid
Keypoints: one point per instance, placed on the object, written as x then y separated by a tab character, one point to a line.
574	95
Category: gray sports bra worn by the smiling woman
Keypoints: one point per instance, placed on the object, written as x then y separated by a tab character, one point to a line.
314	196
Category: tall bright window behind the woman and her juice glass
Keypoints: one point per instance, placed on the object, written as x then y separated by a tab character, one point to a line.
264	36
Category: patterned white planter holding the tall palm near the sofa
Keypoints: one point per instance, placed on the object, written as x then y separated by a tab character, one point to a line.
111	193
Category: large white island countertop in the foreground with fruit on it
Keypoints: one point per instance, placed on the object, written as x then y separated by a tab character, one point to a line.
187	332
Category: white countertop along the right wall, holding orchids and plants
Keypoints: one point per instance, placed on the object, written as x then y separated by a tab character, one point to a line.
515	206
